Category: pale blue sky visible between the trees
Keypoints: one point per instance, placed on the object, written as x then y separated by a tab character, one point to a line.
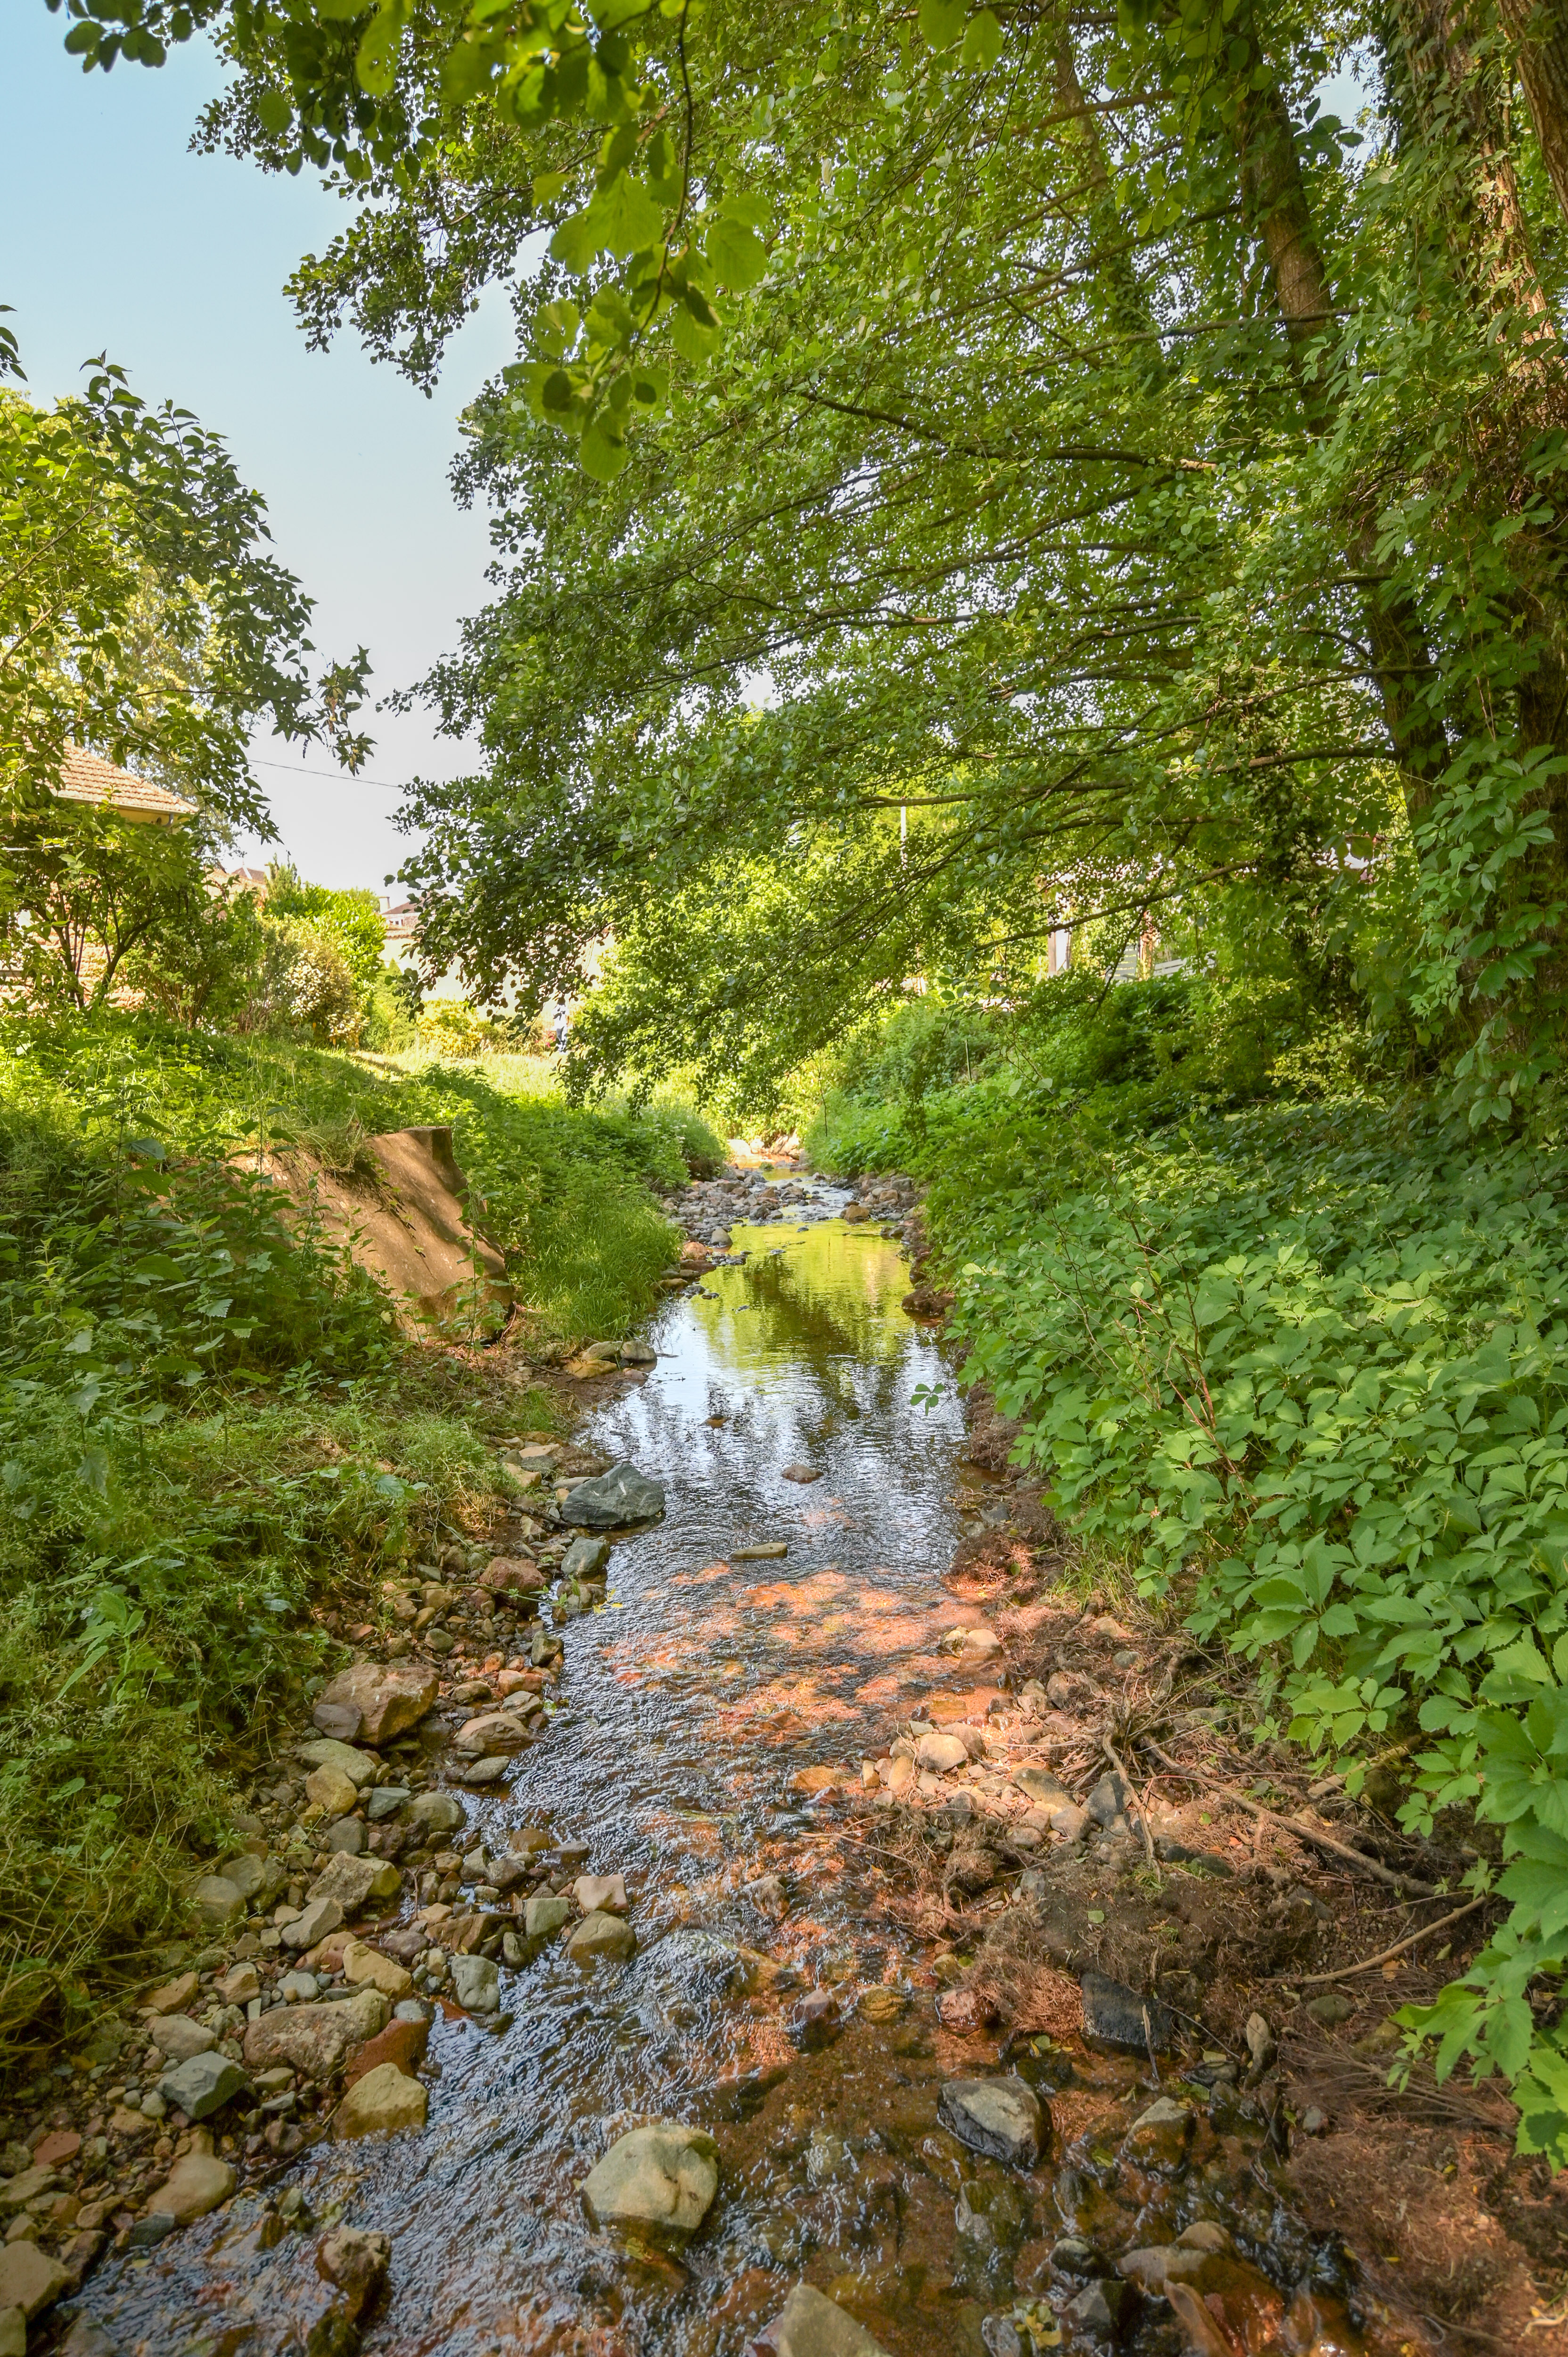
117	239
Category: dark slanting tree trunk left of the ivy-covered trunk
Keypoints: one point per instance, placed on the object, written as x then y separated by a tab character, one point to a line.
1277	204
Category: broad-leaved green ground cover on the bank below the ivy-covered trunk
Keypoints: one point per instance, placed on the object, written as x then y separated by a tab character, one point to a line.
1303	1371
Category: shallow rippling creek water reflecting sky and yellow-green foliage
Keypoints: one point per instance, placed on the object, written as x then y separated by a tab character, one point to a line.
697	1696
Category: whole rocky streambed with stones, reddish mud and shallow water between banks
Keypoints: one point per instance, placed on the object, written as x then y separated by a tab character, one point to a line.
720	1915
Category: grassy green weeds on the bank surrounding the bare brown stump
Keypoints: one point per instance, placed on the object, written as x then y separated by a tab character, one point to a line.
213	1444
